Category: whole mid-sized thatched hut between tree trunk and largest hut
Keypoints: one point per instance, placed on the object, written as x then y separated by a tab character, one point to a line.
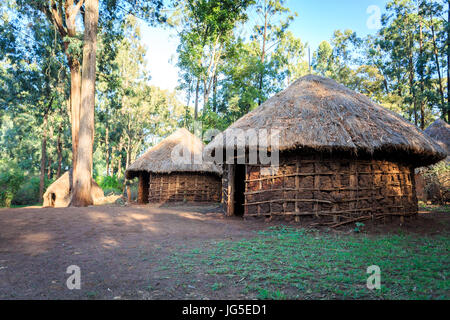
165	177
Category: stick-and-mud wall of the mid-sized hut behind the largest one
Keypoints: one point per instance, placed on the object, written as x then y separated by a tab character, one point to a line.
184	187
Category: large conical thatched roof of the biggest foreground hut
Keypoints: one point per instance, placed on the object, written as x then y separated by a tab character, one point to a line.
317	113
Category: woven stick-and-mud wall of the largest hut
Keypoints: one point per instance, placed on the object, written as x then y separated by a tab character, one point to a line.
330	187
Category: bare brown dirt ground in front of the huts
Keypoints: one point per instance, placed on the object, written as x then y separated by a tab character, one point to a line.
123	251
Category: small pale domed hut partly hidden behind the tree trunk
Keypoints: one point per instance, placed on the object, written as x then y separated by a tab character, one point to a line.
59	193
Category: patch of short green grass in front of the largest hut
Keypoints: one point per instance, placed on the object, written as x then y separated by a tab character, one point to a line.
288	263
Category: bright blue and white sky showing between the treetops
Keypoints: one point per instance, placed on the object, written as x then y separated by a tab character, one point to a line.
316	21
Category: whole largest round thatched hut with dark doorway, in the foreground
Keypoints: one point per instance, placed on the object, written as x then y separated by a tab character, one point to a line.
342	157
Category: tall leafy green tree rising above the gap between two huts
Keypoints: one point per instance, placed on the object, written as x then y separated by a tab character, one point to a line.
205	29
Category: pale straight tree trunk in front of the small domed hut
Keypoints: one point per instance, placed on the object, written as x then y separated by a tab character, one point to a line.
83	174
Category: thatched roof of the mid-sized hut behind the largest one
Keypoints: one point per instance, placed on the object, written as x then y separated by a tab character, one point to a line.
158	159
